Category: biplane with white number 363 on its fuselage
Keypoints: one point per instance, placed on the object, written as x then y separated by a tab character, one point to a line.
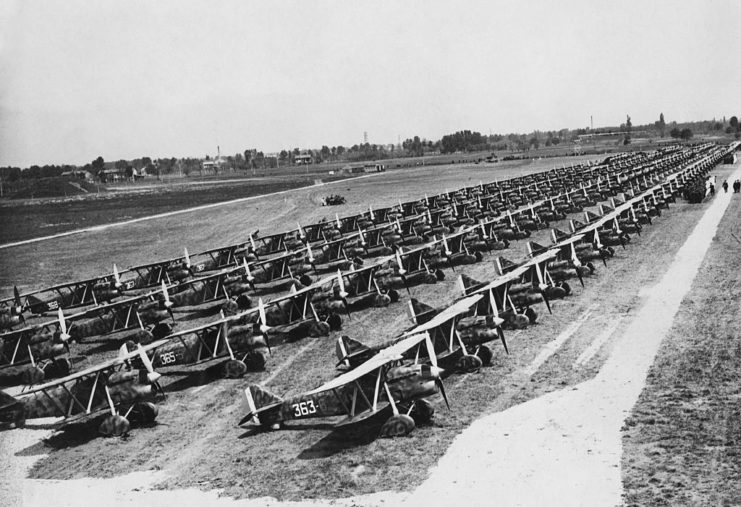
384	387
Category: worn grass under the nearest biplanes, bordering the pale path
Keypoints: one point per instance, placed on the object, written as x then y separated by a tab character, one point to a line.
197	443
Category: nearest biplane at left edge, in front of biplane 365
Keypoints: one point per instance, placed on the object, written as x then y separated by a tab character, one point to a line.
114	387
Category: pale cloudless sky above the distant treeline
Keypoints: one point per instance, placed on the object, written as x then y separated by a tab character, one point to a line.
125	79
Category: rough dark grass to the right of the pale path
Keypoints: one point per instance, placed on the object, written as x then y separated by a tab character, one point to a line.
682	441
